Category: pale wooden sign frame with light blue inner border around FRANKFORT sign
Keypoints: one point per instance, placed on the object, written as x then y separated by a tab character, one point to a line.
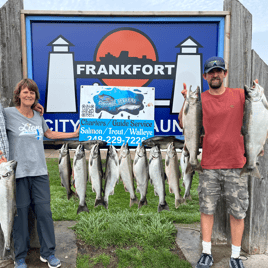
28	17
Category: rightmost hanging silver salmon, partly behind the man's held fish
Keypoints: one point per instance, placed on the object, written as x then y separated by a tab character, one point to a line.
187	177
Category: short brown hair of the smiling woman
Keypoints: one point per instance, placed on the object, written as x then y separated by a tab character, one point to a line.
31	85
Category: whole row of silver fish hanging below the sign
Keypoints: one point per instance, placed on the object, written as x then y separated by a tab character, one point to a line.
119	165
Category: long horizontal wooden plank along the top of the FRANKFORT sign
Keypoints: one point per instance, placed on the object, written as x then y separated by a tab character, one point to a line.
127	13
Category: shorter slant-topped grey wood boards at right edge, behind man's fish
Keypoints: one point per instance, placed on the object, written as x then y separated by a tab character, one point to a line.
255	239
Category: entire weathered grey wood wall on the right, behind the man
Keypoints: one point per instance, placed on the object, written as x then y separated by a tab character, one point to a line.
244	67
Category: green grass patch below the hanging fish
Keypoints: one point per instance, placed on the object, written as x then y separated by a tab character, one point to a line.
147	235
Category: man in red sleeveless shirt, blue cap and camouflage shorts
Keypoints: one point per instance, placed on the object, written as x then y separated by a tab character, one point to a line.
222	159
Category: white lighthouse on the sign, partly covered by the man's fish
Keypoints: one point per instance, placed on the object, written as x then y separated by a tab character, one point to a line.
188	70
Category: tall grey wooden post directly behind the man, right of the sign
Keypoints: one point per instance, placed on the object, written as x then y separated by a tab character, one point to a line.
239	69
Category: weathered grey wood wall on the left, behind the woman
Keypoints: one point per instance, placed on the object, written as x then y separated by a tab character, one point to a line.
10	62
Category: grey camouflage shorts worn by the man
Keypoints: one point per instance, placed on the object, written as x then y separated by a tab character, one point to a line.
216	182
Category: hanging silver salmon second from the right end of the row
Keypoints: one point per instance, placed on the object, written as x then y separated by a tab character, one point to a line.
173	173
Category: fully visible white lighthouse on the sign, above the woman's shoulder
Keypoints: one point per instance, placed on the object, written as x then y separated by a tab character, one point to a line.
61	92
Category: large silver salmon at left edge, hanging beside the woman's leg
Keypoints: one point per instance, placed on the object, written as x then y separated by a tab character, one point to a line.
8	201
